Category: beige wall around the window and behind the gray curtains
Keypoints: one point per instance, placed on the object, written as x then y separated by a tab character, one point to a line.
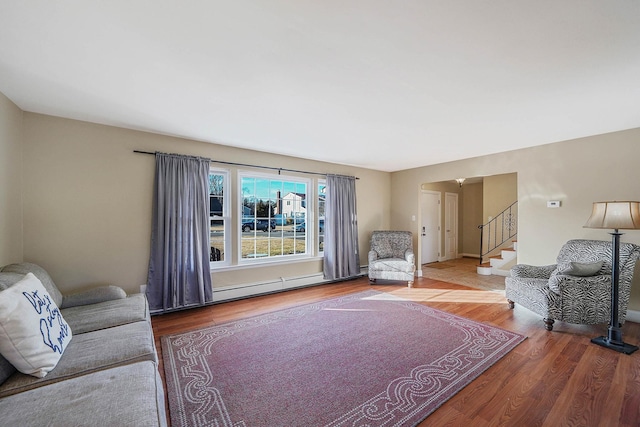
87	202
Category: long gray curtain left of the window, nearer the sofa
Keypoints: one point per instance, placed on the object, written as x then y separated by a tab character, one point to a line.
179	274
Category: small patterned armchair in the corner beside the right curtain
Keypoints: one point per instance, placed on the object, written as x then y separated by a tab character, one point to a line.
391	256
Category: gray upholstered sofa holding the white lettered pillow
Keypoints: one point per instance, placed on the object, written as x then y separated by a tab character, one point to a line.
108	374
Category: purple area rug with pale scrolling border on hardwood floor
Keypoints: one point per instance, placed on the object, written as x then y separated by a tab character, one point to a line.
366	359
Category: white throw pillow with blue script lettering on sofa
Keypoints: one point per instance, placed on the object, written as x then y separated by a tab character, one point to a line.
33	333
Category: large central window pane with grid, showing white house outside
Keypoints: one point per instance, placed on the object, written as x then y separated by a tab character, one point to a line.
274	213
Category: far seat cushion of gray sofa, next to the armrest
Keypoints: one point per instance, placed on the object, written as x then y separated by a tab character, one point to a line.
86	318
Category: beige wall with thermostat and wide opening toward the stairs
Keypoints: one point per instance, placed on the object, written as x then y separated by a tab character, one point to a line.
576	172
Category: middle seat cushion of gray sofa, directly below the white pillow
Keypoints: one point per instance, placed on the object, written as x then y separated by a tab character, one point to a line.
93	351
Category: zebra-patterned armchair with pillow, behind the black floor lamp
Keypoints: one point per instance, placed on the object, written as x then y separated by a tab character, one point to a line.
577	289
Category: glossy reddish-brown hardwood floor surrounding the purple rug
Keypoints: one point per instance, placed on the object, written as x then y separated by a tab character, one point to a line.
551	379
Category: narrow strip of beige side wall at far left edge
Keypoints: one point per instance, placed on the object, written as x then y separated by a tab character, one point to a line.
11	247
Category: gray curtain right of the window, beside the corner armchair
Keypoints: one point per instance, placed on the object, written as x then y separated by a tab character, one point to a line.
341	254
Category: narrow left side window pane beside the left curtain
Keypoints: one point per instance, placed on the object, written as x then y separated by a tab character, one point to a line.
219	217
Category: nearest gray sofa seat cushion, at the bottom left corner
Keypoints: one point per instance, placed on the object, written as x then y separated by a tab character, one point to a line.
129	395
